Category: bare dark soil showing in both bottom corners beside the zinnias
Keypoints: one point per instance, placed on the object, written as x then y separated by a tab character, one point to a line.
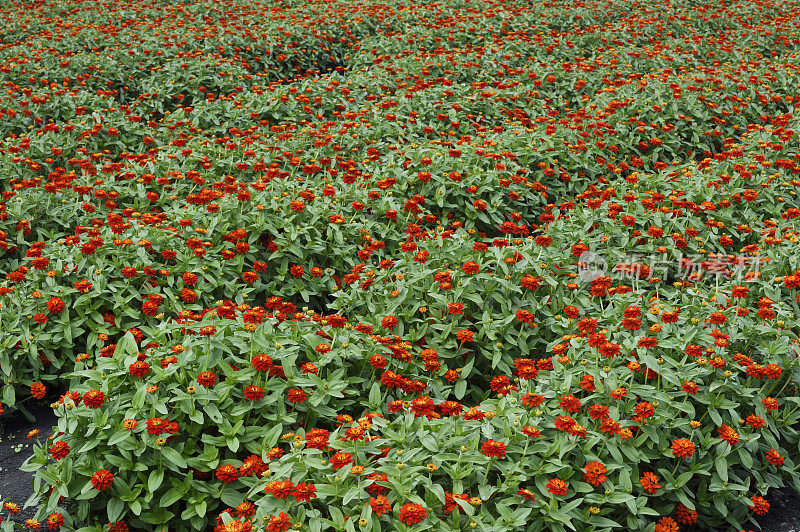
17	486
